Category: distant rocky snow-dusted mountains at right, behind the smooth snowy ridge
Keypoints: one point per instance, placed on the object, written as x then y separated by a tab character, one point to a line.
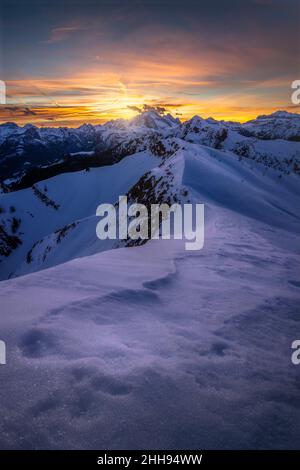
245	141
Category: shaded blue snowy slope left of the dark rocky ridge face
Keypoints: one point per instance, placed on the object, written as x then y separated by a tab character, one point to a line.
76	197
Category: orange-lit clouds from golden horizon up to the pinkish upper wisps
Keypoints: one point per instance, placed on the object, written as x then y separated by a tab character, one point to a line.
165	70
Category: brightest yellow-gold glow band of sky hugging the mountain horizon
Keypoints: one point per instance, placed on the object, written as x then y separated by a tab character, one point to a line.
99	98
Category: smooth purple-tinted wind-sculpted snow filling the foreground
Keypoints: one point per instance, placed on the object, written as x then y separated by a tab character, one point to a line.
155	347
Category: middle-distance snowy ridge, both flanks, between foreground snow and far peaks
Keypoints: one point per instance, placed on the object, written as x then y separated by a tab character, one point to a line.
57	217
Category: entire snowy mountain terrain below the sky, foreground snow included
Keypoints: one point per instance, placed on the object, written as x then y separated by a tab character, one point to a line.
151	346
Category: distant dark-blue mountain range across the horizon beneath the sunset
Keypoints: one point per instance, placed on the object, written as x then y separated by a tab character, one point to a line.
29	154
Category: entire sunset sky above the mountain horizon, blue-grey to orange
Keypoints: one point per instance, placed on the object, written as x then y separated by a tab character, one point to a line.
68	62
